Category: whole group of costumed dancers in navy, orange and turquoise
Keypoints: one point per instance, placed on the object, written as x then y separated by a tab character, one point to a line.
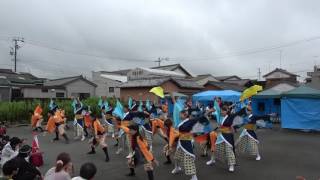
133	126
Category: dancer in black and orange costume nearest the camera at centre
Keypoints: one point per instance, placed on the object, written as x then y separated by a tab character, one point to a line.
141	152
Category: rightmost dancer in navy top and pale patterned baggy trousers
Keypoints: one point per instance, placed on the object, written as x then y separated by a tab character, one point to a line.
248	140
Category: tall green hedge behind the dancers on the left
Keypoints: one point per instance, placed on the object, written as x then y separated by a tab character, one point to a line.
18	111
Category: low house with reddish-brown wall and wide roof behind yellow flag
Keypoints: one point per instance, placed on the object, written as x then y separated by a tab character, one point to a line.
139	89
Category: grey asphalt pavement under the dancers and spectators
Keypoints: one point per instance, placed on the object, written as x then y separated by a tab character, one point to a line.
285	155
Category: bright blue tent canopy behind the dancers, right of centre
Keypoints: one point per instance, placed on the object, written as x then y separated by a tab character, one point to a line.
226	95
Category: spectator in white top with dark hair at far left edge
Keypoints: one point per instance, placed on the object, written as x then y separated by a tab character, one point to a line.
10	150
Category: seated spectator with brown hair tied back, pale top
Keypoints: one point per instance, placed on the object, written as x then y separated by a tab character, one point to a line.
62	170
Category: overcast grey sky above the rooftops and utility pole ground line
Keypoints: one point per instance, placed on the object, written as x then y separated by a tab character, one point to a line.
220	37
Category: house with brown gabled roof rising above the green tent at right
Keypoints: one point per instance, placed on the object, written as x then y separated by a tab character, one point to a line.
280	76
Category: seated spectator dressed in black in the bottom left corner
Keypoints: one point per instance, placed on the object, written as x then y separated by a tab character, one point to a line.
26	169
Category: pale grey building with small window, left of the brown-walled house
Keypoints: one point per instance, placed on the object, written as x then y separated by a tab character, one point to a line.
108	83
